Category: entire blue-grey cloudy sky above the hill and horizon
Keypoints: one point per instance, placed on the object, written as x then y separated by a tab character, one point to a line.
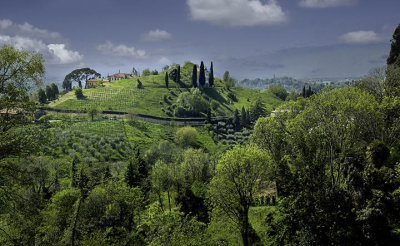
250	38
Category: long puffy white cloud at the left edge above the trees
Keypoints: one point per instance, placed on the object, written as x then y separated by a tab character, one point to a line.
53	53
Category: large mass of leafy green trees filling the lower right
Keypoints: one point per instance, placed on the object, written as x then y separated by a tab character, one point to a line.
319	150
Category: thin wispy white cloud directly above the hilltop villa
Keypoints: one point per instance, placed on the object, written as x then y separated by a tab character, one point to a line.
120	50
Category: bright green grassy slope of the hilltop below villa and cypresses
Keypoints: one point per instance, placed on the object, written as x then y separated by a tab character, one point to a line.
155	99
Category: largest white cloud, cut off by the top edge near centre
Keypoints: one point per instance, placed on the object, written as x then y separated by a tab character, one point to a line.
237	12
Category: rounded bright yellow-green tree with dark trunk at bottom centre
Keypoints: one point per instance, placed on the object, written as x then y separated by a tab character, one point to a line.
238	176
